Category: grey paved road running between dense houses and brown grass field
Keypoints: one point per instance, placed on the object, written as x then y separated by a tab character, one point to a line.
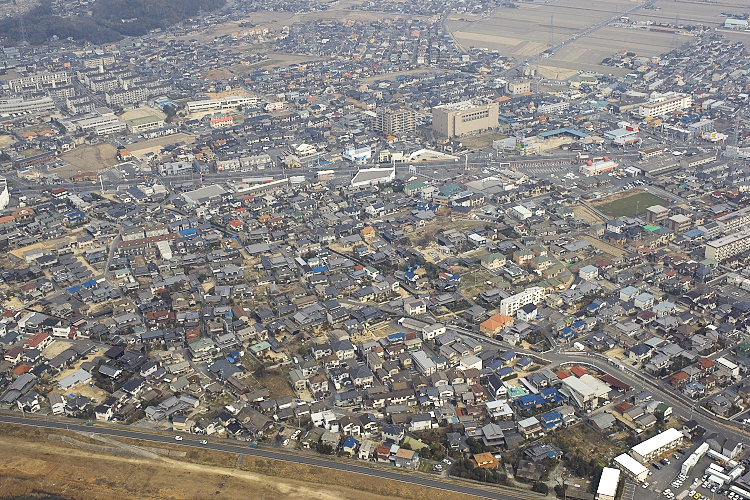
415	478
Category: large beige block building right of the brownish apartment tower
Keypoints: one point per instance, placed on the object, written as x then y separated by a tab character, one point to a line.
451	120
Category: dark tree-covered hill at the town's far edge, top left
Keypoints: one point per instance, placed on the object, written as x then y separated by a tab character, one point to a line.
107	21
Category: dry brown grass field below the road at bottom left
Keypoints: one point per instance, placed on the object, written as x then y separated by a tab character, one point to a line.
32	464
